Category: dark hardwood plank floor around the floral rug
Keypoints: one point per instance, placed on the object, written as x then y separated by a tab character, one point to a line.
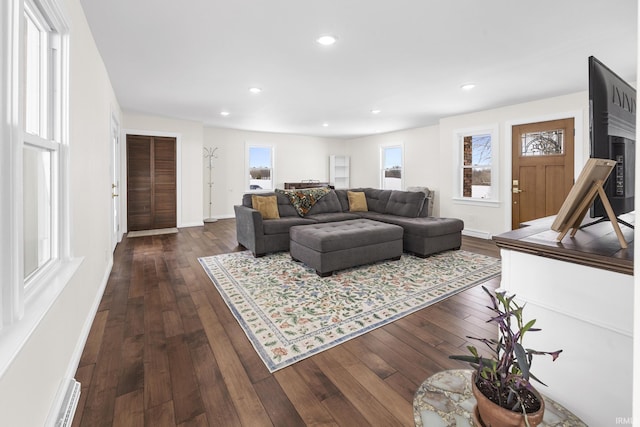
164	350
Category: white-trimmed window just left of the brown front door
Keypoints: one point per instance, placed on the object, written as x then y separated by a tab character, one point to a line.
477	171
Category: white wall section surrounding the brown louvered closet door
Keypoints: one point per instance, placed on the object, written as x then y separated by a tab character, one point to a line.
189	172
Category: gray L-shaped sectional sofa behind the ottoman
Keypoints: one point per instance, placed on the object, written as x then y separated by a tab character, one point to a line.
423	234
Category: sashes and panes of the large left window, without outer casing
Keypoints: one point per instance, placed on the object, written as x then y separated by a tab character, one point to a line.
42	144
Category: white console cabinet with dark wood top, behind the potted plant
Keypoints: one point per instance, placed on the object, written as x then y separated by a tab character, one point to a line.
580	291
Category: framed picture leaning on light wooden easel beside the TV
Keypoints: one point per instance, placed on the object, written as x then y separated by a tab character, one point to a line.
588	185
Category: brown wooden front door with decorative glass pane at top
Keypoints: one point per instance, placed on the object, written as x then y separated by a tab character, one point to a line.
542	169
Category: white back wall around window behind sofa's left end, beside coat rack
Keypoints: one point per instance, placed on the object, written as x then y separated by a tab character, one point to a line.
296	158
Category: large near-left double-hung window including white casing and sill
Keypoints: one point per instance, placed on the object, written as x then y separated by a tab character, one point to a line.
37	219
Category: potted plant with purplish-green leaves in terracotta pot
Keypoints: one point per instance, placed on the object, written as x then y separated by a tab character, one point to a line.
501	382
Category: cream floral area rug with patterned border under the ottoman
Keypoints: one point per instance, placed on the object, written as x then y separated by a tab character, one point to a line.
290	313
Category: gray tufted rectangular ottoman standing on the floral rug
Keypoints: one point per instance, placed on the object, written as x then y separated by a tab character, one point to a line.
334	246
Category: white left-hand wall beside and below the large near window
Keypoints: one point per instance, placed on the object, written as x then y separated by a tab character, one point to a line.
29	387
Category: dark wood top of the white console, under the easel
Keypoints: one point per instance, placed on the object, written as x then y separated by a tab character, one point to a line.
595	246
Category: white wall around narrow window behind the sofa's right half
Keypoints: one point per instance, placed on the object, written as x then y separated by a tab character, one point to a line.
421	158
